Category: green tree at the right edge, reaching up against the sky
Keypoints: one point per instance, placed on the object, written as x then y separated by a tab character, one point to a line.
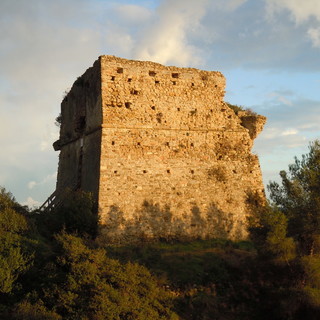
299	199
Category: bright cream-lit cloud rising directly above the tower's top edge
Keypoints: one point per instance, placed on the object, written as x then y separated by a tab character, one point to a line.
167	39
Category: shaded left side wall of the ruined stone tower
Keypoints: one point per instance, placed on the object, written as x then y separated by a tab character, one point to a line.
80	134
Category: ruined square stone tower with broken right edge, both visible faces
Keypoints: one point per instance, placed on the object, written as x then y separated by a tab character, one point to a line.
162	153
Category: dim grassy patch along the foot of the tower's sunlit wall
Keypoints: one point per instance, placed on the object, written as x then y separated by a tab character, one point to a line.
185	264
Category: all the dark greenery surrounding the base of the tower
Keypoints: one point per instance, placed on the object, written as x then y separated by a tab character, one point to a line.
276	276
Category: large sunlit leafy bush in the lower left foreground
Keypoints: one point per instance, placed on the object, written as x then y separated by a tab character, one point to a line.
89	285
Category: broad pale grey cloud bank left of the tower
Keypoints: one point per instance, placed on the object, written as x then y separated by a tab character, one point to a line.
44	47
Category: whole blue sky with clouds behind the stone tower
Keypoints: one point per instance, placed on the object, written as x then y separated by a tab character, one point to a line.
269	51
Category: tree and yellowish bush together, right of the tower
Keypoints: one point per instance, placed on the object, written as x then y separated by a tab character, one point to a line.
287	236
